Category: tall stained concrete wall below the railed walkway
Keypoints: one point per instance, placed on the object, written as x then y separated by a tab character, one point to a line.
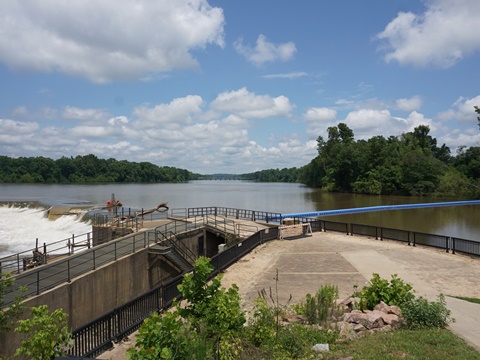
97	292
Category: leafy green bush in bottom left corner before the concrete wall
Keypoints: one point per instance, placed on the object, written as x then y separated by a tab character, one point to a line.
47	334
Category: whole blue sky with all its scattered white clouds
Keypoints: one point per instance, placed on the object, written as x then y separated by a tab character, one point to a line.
232	86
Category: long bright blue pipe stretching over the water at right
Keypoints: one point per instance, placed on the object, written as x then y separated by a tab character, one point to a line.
377	208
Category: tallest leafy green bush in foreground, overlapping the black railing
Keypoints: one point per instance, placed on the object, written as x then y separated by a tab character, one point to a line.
204	326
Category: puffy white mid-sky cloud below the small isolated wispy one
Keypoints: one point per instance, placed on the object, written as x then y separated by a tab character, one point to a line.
249	105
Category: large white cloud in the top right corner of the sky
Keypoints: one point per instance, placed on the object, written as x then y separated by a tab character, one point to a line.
441	36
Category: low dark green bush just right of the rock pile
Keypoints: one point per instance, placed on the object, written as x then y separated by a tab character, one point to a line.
421	313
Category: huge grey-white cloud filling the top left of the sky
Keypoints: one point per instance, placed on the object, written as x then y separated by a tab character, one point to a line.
104	41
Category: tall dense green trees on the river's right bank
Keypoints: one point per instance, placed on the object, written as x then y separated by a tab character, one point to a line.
410	164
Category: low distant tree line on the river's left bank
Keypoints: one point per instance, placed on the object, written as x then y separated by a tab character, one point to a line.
85	169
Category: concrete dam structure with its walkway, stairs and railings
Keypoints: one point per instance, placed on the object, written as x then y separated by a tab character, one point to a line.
106	283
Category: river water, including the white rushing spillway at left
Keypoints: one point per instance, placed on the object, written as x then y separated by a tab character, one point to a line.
19	228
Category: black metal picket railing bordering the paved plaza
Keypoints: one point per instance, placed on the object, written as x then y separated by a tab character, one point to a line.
127	318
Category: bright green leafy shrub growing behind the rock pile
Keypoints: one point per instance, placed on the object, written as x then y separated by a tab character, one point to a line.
395	292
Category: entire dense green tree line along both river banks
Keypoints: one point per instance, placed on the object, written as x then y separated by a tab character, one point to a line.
410	164
